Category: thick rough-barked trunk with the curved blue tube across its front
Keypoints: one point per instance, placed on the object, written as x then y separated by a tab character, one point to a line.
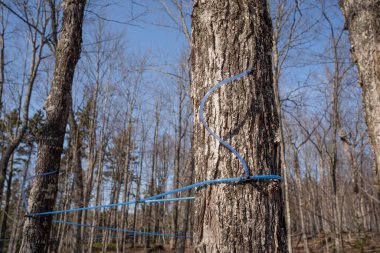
229	36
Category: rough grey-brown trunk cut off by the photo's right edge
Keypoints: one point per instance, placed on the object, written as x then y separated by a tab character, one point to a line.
363	23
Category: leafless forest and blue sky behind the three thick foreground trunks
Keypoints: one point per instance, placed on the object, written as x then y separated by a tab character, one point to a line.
131	120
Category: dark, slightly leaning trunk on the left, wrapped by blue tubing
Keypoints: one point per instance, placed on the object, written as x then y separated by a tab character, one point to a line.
44	189
